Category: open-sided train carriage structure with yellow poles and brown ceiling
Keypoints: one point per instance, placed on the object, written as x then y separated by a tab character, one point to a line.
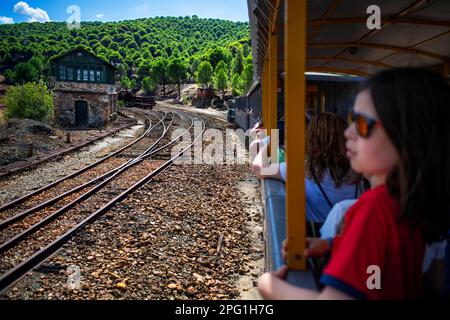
337	50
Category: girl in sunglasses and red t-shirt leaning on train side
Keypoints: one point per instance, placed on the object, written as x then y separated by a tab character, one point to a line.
399	136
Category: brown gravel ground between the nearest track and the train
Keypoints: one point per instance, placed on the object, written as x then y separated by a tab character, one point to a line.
195	232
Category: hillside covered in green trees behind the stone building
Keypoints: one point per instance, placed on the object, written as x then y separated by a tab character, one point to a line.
146	51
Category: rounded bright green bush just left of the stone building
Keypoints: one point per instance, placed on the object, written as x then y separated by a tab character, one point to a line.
30	101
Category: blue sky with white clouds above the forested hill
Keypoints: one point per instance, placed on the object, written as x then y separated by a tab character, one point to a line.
115	10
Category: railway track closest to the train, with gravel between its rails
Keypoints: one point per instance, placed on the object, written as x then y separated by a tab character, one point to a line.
86	204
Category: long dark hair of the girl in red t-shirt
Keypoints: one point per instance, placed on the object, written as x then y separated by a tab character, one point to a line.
413	106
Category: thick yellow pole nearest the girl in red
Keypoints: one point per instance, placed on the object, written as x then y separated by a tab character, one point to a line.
295	85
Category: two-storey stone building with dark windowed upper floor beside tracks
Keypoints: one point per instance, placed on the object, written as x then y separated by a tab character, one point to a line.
84	90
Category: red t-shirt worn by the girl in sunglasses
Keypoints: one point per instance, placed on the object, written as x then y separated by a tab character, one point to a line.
373	236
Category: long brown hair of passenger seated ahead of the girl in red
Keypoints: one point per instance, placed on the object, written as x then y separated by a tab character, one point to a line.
325	147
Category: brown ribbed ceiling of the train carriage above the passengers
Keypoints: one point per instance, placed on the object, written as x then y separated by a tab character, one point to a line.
412	33
